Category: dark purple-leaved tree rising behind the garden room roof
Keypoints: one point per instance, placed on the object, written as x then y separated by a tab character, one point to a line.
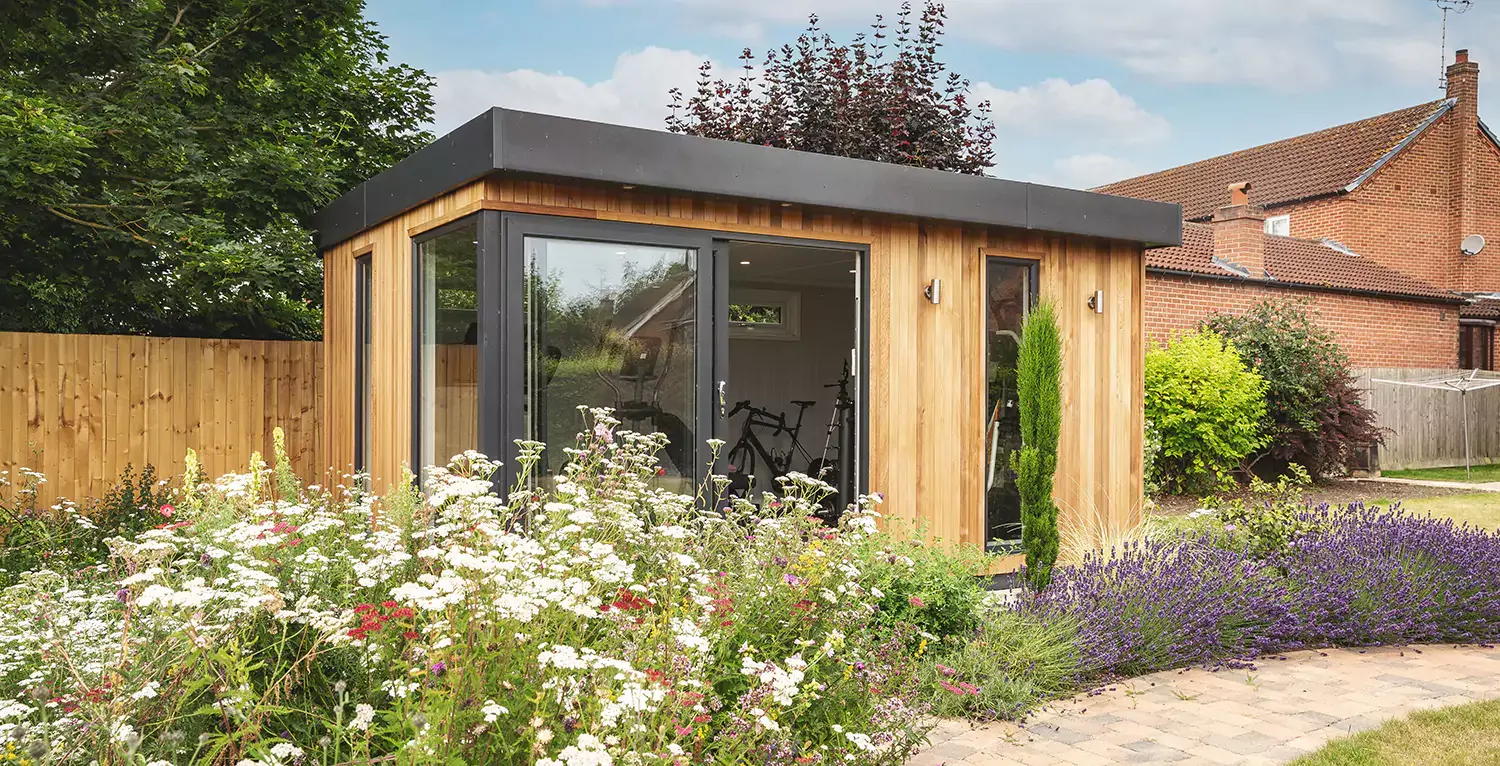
856	101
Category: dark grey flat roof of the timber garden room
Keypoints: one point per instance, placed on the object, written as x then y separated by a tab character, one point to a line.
508	140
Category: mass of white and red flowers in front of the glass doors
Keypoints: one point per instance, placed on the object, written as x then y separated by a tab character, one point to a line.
604	620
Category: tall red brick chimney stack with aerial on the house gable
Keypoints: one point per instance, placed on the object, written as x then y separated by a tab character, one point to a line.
1466	146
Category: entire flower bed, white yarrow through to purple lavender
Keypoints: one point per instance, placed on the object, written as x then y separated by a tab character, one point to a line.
596	618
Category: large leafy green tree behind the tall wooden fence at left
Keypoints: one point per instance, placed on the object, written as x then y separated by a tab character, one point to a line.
160	160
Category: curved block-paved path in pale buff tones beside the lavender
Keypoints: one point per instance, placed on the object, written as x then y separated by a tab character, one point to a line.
1273	714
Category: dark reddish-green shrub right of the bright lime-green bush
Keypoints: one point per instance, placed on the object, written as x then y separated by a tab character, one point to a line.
1315	416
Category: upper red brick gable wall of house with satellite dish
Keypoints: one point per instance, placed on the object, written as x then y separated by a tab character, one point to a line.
1409	217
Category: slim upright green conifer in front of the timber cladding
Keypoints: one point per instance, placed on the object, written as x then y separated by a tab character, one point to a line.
1039	389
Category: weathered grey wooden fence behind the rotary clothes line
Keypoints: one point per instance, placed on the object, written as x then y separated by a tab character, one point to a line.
1427	426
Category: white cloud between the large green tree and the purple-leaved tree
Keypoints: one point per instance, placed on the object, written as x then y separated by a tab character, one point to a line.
635	94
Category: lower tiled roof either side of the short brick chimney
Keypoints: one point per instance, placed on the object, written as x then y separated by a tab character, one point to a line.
1297	263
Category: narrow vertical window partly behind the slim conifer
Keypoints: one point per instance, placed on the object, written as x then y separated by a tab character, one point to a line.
1010	289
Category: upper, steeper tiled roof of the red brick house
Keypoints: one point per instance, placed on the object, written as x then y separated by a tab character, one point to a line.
1285	172
